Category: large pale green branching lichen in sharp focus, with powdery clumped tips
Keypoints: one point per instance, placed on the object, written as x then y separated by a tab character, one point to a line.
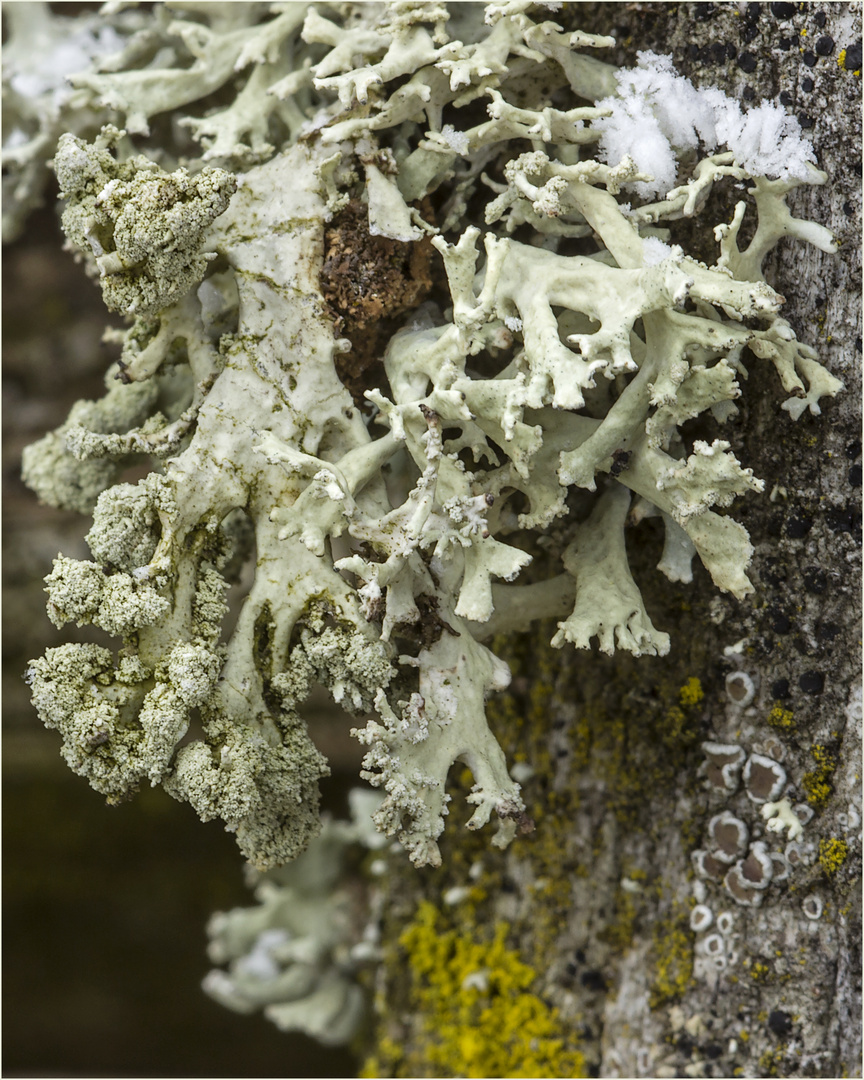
541	385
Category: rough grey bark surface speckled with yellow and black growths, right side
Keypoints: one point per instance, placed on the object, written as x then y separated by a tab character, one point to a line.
600	900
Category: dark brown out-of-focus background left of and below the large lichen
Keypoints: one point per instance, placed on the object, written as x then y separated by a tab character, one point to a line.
104	909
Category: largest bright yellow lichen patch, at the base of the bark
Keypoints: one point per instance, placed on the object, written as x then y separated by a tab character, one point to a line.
480	1018
